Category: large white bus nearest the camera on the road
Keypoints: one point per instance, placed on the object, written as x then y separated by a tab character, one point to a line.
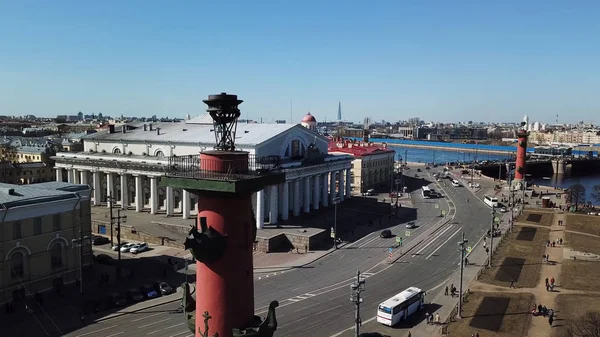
401	306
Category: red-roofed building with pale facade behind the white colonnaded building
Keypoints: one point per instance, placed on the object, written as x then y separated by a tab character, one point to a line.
373	165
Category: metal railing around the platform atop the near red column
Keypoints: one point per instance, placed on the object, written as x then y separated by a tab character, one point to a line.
192	167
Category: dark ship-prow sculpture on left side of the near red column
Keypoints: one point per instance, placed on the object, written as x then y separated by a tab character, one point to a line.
207	245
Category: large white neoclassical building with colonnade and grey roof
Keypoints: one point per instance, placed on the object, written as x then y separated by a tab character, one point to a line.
127	163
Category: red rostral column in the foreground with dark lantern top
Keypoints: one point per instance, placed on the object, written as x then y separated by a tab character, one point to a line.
222	241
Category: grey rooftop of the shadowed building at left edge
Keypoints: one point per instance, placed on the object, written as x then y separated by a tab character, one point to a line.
20	195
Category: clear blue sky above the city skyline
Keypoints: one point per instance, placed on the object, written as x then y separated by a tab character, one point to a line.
440	60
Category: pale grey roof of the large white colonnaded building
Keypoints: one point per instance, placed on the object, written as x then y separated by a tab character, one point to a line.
248	135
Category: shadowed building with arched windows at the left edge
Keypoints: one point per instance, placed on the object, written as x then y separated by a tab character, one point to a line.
39	224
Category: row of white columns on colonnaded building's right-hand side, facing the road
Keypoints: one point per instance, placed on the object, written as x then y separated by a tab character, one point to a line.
300	195
